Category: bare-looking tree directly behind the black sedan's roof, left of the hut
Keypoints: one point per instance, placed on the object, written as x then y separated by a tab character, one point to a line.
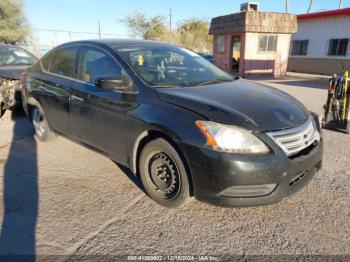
152	28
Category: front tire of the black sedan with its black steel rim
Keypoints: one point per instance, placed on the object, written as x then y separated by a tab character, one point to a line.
163	174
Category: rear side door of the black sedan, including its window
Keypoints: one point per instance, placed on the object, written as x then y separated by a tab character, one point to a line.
54	86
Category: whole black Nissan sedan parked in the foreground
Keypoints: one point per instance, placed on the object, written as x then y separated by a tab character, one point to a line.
180	123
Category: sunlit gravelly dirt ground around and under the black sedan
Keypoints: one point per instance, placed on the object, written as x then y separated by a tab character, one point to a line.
62	198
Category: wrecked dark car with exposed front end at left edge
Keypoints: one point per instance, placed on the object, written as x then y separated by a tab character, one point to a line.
13	62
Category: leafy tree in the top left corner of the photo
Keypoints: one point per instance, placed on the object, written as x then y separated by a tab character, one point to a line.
13	25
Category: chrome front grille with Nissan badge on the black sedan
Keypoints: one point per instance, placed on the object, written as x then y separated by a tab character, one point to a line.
294	140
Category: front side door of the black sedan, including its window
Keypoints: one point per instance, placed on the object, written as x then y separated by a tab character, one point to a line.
100	116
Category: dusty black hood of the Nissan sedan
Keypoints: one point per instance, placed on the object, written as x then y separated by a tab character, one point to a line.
242	103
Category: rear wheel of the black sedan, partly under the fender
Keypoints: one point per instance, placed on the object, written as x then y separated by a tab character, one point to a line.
41	126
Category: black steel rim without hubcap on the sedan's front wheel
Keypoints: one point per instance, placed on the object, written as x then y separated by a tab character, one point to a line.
164	175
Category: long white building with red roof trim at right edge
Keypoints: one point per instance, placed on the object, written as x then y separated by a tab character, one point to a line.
321	44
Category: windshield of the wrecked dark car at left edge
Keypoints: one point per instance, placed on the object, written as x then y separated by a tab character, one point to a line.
12	55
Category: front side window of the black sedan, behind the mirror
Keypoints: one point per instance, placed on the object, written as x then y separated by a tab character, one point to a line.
95	64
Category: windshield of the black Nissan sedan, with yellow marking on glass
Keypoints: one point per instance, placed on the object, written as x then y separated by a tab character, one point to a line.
167	66
